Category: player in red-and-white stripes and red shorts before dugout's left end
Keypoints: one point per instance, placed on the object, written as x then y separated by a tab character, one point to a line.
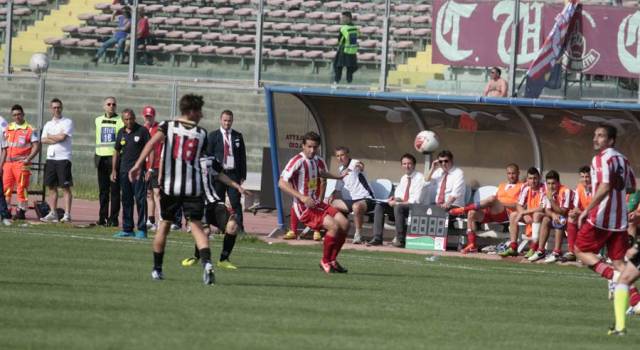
300	179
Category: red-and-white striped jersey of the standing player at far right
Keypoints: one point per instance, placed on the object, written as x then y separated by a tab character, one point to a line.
610	166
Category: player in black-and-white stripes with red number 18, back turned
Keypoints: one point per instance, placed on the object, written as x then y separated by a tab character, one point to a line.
180	180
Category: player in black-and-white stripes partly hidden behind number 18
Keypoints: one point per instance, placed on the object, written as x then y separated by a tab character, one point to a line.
216	212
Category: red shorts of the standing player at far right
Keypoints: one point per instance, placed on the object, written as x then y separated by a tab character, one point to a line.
591	239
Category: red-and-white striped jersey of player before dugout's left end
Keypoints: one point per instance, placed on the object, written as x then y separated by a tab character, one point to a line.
304	175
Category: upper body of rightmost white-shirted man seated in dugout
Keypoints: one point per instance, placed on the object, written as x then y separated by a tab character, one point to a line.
448	180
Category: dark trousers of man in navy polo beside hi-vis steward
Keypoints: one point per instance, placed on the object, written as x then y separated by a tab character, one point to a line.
133	192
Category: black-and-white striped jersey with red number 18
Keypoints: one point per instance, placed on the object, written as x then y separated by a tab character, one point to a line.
183	146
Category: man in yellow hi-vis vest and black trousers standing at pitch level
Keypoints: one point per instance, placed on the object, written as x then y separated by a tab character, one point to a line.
107	126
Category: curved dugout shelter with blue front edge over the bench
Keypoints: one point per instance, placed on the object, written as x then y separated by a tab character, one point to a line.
484	133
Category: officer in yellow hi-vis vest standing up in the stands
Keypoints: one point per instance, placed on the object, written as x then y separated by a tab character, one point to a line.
347	54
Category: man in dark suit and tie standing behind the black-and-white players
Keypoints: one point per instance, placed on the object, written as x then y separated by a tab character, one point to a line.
227	145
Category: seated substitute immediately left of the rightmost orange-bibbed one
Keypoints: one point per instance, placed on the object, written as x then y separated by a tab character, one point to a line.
556	204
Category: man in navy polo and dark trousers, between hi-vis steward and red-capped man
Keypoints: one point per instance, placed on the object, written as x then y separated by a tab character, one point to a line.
130	142
